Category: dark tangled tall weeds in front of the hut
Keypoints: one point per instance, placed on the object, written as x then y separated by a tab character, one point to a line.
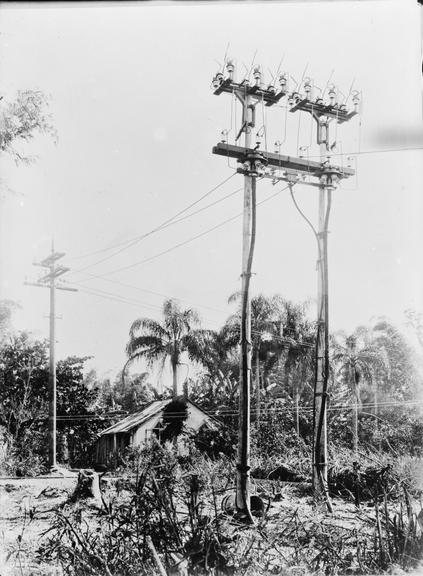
169	511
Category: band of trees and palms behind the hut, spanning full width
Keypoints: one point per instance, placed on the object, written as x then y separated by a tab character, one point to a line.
374	373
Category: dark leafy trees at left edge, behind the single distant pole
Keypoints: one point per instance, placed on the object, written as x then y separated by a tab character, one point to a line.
24	400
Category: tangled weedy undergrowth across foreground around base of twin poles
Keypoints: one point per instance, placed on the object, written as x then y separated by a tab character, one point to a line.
165	516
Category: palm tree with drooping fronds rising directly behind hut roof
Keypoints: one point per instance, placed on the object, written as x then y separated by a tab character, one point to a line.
158	342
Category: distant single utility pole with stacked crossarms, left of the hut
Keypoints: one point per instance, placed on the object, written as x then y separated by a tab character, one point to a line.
49	281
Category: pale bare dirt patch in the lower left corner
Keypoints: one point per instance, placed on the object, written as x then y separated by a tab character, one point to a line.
21	498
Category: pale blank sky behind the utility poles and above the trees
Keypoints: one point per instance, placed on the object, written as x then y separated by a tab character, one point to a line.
136	118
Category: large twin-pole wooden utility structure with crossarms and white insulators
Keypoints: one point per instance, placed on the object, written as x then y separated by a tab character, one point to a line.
279	167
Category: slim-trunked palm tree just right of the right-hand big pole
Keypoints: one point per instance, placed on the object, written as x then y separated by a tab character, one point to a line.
356	358
